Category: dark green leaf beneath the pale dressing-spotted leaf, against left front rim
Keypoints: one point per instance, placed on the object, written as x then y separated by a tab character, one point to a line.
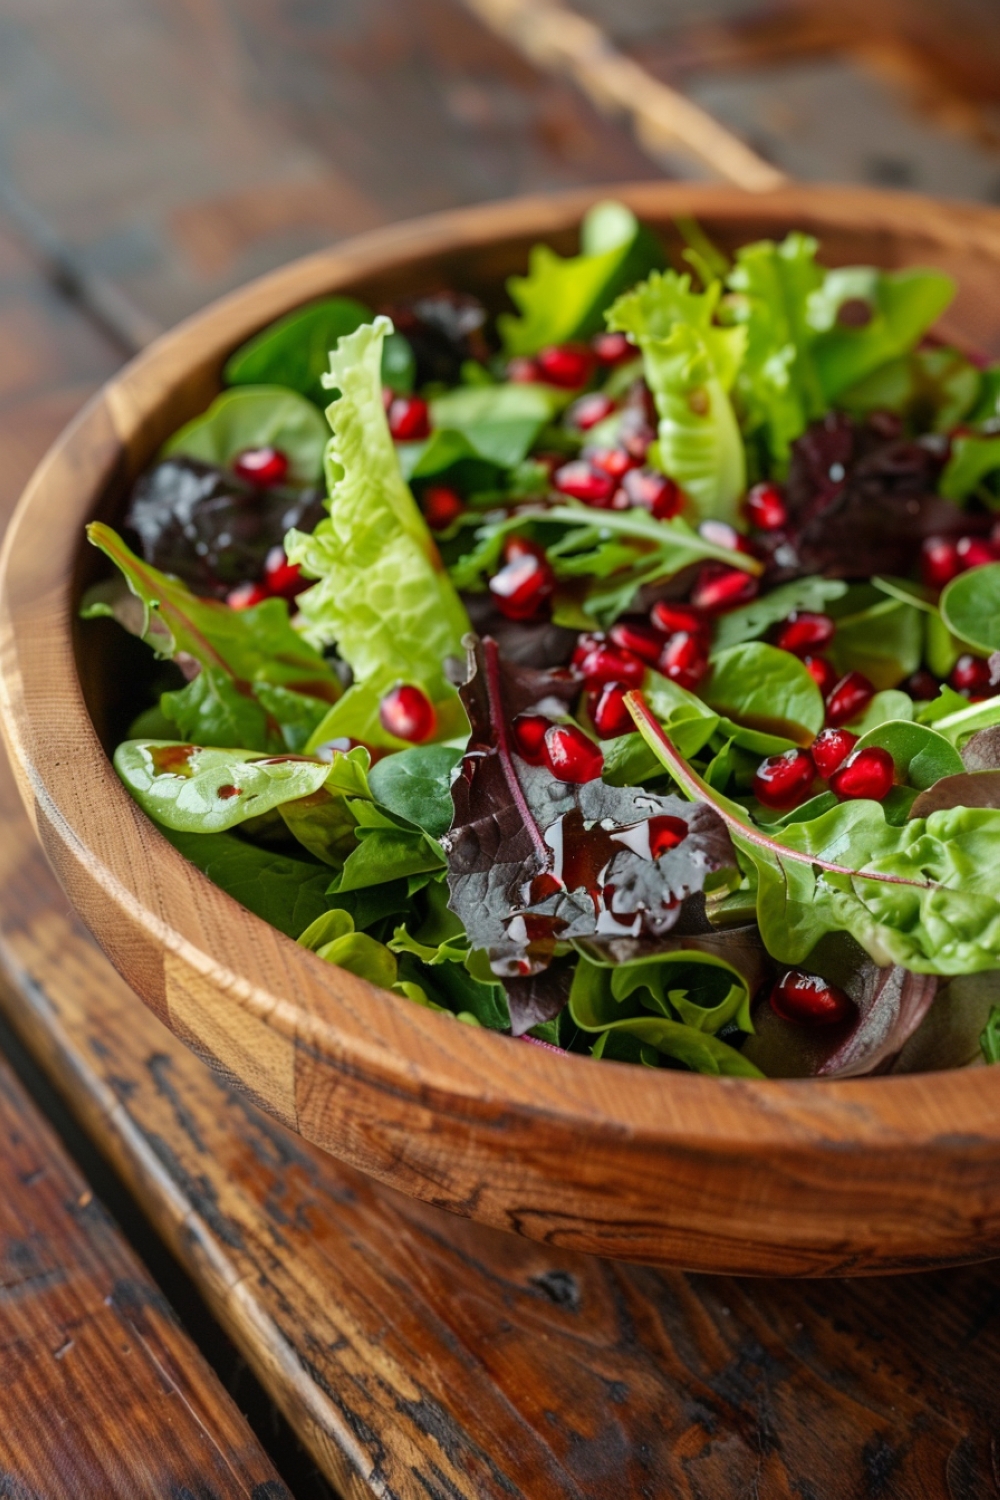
287	893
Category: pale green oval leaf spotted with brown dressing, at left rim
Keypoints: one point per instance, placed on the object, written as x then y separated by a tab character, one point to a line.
208	791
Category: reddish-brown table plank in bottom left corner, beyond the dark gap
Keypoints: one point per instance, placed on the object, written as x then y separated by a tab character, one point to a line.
104	1396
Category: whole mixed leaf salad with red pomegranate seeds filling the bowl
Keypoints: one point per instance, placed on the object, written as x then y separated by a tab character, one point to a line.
621	673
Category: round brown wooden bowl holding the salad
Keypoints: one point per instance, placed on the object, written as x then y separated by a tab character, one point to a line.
728	1175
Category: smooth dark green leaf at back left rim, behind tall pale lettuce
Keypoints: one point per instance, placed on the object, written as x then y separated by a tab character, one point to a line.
295	352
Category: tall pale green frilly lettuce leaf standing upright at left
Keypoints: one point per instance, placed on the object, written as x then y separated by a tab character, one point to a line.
383	596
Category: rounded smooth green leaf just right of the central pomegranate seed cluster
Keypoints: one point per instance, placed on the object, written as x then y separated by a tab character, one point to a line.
768	691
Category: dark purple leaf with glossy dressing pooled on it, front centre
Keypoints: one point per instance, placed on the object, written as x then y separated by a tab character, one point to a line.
534	862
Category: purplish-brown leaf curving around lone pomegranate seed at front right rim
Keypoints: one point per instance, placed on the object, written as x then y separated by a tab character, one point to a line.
890	1007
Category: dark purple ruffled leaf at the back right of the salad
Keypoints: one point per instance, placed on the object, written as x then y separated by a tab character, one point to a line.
861	503
